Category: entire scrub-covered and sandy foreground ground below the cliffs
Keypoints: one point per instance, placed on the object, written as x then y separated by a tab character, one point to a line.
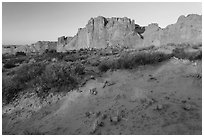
154	90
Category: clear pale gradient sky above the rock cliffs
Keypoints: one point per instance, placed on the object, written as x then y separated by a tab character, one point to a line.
26	23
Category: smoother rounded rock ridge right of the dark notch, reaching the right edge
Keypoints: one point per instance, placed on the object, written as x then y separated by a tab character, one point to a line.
186	30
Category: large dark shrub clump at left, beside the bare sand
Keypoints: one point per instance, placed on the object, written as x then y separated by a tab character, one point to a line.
42	78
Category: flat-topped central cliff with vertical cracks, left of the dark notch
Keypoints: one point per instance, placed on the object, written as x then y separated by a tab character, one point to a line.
101	32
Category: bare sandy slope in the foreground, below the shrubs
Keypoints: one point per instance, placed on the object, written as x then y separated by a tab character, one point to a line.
162	99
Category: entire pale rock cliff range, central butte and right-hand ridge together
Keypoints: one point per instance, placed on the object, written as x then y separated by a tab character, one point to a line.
101	32
